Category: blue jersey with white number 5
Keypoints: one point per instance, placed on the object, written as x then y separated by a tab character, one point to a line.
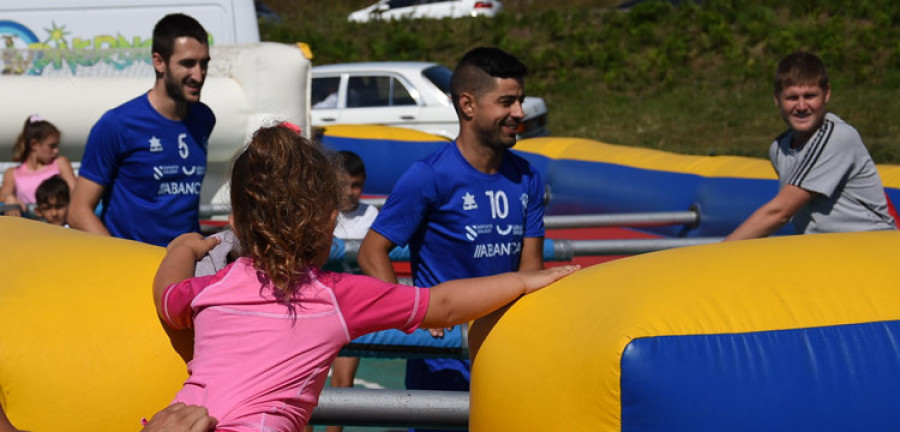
151	169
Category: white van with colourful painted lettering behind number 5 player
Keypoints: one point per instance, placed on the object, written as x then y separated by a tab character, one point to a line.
70	30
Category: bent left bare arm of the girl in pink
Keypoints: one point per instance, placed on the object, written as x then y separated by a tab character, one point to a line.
178	264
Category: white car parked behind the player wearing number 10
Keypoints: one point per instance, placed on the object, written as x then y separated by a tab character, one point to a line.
415	95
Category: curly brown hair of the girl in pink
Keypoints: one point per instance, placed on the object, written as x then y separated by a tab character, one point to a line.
284	196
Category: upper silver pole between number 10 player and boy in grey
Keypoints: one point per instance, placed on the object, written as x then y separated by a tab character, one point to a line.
622	220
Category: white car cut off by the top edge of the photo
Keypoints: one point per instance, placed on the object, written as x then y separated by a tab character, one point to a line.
436	9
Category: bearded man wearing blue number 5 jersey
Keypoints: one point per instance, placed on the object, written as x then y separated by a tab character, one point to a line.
145	160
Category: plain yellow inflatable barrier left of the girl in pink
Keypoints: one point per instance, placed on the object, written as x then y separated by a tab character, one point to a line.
81	348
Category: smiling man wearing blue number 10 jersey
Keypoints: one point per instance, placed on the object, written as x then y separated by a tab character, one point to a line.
473	208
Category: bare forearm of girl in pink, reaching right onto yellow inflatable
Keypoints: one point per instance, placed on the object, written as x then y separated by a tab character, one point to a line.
463	300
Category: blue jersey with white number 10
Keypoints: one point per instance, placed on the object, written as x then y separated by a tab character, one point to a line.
460	222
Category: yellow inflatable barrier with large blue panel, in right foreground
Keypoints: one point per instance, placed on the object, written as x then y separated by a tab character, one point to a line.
791	333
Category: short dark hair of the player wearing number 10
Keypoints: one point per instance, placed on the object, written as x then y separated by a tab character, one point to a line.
476	71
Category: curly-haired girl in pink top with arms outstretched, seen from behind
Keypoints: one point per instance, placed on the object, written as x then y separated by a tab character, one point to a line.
268	326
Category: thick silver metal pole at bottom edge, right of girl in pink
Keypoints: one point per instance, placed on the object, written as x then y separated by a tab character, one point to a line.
392	408
